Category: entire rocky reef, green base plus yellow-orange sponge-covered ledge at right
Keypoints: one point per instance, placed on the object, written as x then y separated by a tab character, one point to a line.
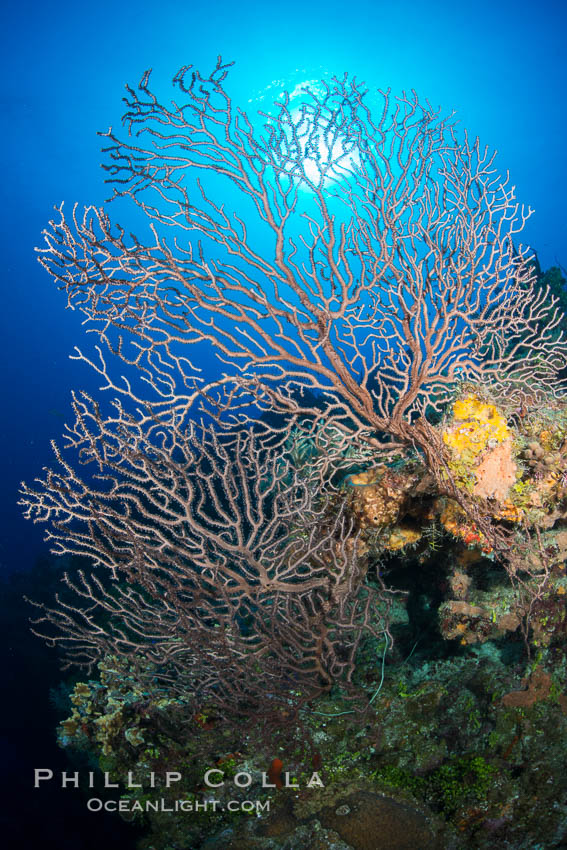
446	748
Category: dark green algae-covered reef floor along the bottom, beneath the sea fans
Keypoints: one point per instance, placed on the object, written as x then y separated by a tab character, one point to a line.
455	753
